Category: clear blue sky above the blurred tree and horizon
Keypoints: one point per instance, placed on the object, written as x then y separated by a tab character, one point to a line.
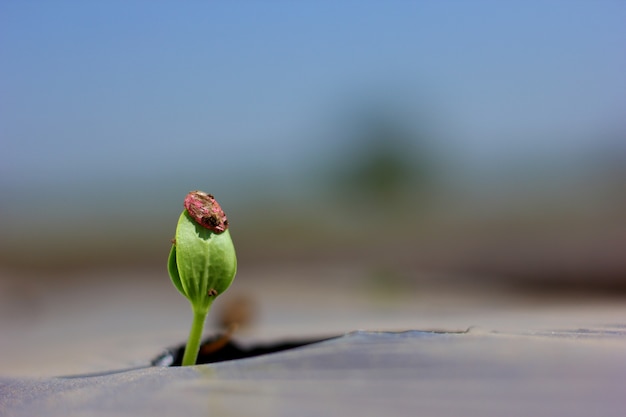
133	92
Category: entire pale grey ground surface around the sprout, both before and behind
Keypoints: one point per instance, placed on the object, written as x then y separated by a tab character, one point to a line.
522	356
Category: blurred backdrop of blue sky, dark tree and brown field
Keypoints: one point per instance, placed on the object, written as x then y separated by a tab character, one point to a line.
422	145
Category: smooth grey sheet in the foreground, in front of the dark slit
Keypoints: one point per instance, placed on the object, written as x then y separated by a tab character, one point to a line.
578	372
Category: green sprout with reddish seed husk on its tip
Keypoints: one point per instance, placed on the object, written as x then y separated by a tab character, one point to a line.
202	261
